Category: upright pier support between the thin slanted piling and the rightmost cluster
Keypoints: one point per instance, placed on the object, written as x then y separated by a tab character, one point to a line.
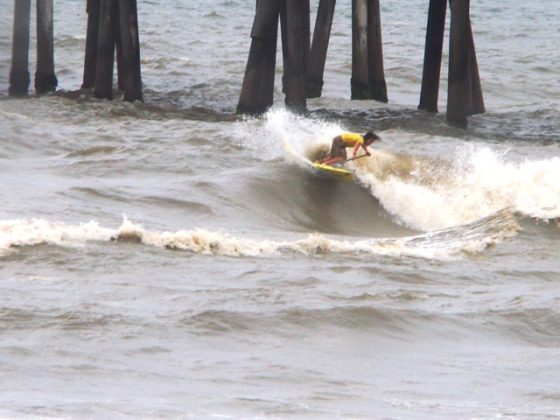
368	78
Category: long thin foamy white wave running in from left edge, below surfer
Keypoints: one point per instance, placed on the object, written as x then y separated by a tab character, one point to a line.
442	245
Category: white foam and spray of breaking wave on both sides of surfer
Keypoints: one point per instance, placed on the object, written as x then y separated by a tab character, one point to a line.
424	193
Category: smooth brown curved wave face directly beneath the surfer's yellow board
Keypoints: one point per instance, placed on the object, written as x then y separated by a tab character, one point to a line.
297	200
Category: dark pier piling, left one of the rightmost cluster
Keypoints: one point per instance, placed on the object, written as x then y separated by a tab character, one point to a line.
432	56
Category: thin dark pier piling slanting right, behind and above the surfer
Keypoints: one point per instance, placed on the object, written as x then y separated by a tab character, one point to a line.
319	47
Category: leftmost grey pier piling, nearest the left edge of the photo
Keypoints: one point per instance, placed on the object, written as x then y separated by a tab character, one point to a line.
19	73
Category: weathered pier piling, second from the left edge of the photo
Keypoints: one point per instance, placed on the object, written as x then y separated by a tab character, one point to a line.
45	78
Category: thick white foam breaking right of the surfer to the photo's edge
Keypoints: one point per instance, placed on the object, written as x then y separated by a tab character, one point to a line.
477	182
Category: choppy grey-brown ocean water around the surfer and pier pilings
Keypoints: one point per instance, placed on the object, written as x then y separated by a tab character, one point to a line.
169	259
